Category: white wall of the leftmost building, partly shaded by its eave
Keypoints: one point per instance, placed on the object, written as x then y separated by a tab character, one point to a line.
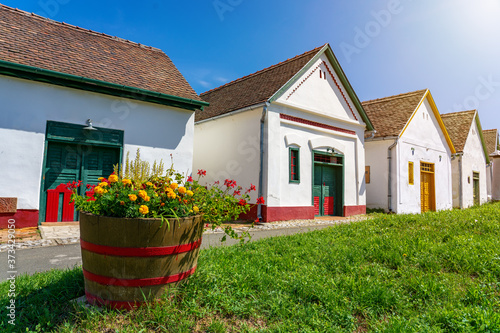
27	105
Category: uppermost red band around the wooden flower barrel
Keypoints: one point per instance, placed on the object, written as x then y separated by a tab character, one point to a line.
139	251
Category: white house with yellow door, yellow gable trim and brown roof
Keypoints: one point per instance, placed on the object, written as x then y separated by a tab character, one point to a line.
408	161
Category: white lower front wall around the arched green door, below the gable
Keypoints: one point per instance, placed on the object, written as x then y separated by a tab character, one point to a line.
281	192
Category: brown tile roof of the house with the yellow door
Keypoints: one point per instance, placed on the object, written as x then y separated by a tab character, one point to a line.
389	115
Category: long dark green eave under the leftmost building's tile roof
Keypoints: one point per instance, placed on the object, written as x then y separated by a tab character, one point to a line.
83	83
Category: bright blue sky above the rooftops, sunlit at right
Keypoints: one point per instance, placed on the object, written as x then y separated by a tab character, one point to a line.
385	47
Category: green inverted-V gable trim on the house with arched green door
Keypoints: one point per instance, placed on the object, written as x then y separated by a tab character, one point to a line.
343	78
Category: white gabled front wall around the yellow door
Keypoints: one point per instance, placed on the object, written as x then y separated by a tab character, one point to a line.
423	141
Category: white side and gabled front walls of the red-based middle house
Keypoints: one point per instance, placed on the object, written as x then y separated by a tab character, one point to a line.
228	146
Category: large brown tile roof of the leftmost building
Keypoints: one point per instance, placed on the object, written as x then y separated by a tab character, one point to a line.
29	39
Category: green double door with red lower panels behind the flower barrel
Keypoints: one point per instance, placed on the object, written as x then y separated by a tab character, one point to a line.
66	162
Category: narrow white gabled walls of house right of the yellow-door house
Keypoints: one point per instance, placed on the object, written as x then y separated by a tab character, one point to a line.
473	160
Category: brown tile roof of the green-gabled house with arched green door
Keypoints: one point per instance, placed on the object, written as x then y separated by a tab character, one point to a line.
254	88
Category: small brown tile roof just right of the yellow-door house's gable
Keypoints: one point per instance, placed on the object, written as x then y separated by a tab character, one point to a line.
458	126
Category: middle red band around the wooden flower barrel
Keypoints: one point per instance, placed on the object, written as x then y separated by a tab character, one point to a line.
111	281
